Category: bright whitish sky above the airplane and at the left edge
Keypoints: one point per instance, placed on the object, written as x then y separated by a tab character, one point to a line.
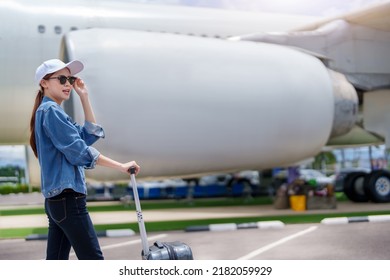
15	154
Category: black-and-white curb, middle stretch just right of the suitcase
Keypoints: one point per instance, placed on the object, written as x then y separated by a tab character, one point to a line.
232	226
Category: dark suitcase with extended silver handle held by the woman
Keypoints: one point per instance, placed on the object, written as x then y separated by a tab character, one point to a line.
159	250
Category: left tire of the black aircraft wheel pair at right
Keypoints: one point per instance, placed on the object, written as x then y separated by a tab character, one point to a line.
354	187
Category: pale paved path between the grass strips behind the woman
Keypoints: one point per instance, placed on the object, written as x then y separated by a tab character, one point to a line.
17	201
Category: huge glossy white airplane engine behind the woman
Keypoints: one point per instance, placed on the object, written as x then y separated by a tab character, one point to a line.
182	105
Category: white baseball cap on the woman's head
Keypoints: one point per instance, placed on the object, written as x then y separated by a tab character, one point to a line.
54	65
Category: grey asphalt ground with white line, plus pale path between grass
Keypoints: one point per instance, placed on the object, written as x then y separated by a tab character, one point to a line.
320	241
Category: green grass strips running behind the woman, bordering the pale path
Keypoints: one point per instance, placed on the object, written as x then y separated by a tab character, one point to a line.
181	225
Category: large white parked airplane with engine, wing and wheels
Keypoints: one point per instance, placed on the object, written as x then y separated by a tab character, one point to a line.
191	91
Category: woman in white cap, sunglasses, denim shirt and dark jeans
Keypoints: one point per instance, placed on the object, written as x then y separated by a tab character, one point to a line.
63	149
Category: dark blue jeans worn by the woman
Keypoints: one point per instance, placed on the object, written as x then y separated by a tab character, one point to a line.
70	226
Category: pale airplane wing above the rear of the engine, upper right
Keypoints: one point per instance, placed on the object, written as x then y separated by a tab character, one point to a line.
355	44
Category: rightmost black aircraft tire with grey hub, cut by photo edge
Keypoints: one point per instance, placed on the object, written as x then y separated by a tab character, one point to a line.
377	186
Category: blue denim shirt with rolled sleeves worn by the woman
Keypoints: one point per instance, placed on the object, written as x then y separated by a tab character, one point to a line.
64	149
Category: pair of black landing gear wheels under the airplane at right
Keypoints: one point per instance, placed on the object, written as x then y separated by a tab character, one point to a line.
363	187
